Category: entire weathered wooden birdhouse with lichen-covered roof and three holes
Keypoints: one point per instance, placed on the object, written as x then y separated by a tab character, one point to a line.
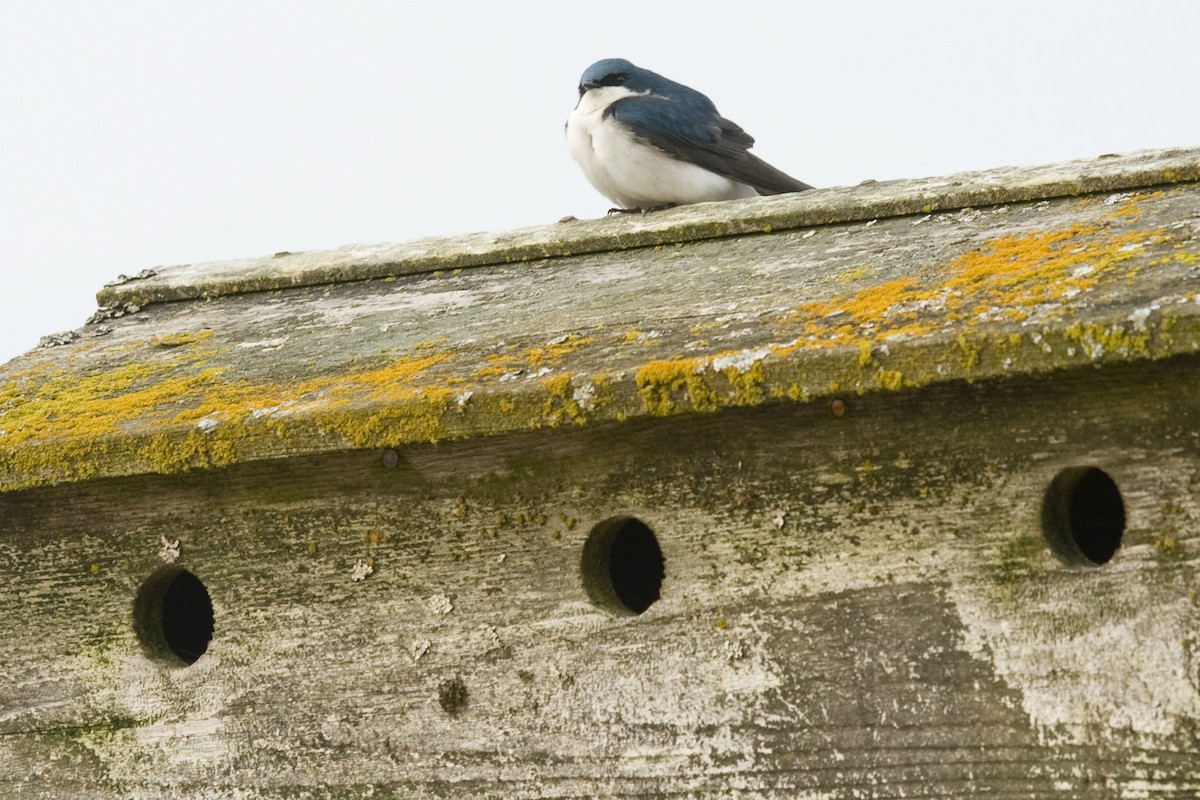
877	492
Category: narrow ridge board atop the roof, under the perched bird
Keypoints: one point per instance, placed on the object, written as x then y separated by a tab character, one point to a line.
868	201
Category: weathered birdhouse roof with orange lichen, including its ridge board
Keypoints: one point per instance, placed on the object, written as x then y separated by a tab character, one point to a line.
881	287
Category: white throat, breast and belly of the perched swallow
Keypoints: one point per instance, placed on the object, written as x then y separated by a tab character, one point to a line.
632	173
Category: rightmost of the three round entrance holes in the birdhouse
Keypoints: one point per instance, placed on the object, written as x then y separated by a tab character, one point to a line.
1083	516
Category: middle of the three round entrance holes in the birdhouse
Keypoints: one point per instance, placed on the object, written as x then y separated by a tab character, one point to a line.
622	566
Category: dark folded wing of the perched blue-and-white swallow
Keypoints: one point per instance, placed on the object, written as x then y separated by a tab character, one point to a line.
703	137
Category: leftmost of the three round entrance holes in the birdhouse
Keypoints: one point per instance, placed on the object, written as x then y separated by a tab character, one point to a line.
173	616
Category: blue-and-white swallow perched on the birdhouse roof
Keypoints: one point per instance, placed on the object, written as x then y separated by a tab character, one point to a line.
649	143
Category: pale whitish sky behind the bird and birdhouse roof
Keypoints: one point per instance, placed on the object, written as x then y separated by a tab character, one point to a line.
137	135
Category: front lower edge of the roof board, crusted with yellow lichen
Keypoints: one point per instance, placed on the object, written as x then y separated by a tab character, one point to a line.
773	375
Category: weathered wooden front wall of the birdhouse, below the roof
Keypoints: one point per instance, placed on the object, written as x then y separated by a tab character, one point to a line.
856	606
